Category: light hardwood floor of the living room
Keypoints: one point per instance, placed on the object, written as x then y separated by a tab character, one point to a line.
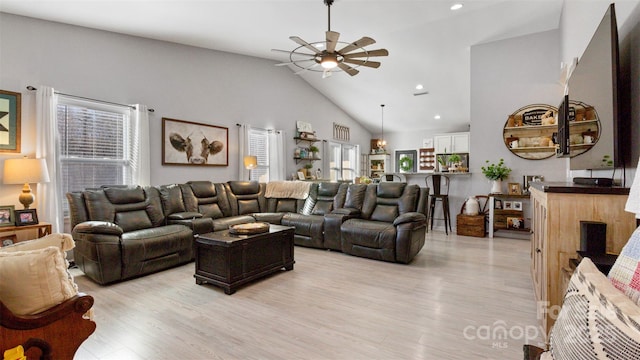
454	301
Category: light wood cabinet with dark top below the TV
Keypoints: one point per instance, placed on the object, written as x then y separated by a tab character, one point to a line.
556	237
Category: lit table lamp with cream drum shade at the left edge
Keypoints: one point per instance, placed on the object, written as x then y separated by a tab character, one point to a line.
25	171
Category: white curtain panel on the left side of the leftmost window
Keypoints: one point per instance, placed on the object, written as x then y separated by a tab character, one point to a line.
49	196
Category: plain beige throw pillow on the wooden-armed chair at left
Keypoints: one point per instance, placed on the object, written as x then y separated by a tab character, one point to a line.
35	280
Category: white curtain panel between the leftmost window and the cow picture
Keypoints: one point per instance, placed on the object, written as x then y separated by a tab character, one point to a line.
140	156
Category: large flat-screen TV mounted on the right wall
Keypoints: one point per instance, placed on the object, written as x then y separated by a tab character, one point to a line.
594	111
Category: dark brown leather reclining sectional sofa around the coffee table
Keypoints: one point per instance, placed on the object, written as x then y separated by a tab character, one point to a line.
125	232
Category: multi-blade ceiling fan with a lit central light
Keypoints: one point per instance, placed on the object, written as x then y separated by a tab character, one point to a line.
325	55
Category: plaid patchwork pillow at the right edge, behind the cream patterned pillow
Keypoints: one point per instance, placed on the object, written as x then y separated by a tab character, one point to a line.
625	273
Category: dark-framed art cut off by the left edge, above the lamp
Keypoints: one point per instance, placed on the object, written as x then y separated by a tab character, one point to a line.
10	108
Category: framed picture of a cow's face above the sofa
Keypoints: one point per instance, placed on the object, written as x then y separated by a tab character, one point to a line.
191	143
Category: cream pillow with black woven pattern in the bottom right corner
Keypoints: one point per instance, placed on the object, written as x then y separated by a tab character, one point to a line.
596	320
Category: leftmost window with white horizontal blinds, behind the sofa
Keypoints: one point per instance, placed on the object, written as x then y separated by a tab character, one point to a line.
94	145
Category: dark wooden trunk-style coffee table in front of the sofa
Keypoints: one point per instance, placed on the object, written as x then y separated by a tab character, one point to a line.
229	260
